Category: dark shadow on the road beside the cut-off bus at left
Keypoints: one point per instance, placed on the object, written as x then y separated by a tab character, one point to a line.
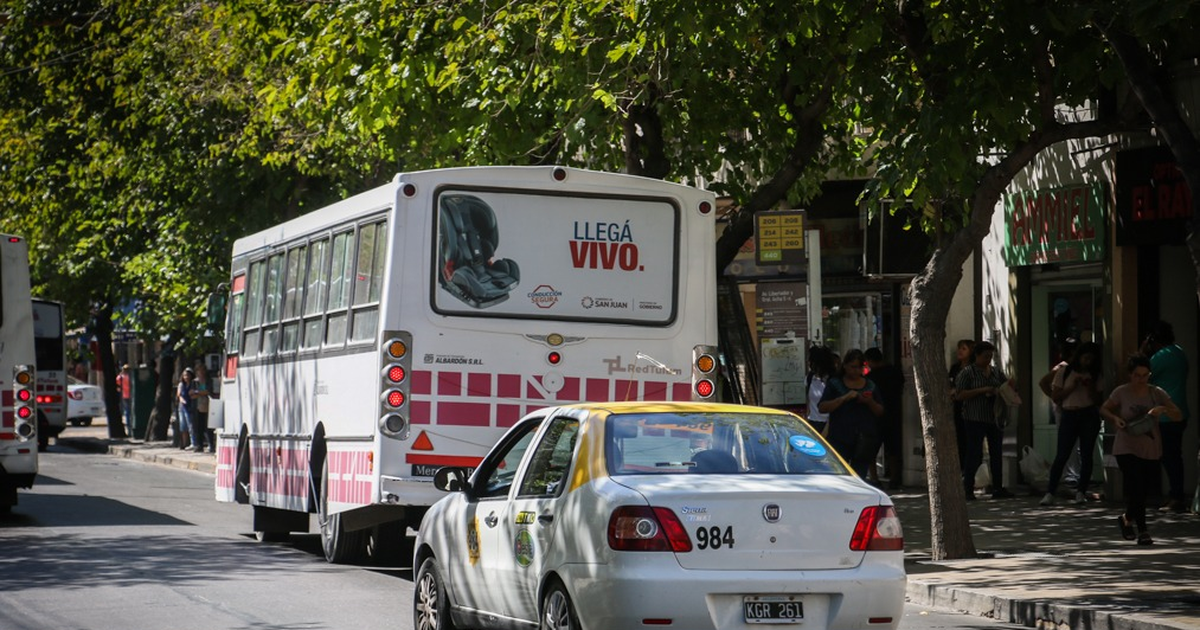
65	511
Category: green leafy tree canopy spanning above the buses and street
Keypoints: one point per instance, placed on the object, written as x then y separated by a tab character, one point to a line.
141	137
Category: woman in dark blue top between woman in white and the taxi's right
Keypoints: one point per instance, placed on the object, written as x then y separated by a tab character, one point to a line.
854	415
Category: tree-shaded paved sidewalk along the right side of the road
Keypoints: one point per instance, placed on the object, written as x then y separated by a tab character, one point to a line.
1052	568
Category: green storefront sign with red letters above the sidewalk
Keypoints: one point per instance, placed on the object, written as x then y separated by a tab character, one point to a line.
1066	225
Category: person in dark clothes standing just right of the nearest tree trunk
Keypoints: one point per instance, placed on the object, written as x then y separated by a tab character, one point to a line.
979	388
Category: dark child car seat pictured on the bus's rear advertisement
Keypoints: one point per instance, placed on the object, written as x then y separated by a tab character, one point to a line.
467	247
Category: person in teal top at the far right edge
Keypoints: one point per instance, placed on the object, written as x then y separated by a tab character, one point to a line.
1169	370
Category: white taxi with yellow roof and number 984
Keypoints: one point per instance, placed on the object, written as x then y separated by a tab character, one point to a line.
679	515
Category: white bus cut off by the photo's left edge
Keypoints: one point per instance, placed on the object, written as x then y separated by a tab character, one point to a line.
19	376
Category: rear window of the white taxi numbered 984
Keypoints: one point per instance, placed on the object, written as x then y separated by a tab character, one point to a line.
716	443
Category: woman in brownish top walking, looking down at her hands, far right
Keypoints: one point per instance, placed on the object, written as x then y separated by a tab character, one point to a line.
1136	410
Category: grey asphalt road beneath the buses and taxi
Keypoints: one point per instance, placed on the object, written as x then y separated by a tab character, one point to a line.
106	543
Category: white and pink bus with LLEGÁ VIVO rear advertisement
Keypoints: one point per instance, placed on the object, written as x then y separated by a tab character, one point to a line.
374	341
